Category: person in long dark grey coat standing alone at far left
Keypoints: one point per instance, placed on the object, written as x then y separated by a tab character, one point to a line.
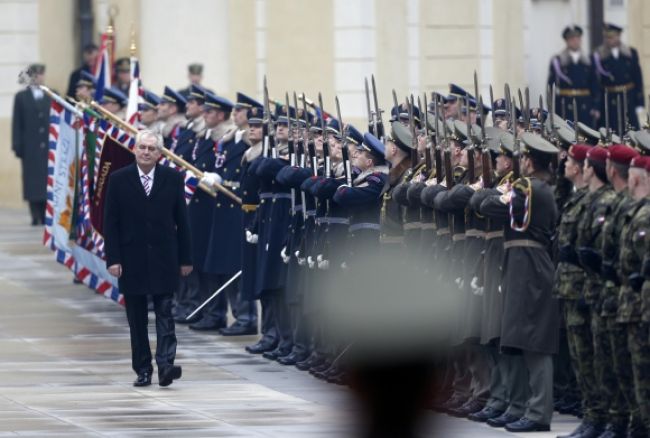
29	142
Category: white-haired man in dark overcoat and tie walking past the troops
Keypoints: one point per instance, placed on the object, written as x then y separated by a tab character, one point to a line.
147	242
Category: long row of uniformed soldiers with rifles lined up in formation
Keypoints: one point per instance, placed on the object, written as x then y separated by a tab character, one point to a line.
535	226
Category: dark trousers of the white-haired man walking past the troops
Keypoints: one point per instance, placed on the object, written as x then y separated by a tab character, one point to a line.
137	315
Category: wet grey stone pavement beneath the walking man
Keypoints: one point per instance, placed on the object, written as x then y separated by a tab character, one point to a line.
65	369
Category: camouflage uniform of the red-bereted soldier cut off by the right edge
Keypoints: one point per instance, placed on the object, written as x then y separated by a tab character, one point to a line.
634	249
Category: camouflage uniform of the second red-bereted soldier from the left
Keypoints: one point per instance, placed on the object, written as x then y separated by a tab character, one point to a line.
606	394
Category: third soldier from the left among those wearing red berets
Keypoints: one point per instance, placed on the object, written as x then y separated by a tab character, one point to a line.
618	161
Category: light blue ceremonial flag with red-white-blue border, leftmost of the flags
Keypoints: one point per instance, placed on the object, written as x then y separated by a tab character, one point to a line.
65	156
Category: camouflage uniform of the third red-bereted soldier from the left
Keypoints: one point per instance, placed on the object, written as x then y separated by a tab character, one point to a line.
620	358
